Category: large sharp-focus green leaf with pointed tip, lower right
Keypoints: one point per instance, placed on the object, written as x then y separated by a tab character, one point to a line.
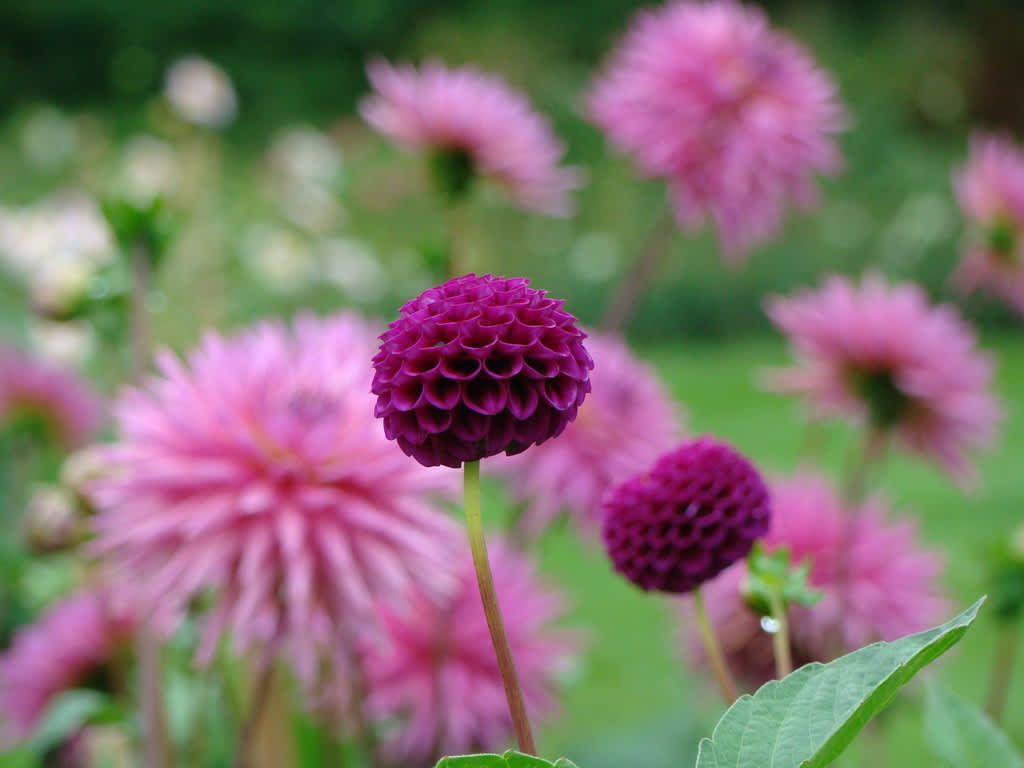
808	718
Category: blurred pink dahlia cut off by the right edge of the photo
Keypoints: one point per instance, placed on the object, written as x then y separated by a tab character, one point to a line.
991	192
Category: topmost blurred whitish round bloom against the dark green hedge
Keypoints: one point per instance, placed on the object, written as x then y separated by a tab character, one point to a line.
201	93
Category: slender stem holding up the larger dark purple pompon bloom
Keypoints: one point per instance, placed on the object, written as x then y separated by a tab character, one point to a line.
479	546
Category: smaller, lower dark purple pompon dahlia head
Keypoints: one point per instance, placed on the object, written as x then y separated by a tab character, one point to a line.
697	513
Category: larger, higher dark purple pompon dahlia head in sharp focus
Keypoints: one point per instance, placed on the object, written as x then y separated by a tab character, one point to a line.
477	367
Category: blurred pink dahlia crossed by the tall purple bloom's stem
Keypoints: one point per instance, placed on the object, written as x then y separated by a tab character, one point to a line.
435	673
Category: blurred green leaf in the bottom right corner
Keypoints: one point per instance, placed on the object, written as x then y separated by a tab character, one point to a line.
963	735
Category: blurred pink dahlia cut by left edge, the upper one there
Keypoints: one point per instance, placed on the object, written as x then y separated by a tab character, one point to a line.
37	397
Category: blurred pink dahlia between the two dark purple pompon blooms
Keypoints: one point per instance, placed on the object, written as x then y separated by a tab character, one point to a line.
627	421
